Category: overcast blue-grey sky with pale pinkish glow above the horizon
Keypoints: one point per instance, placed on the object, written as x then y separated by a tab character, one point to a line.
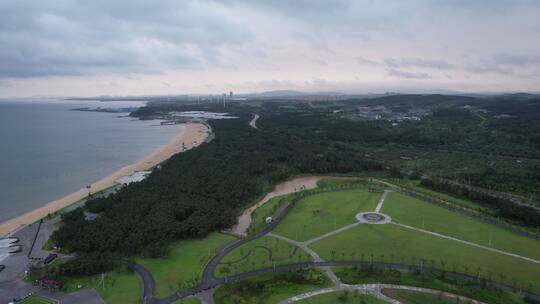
136	47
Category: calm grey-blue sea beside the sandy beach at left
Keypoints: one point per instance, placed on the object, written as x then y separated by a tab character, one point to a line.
47	152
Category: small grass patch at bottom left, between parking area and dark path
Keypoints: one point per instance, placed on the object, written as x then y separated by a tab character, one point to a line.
119	286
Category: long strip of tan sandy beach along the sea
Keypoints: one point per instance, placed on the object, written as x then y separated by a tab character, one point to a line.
192	132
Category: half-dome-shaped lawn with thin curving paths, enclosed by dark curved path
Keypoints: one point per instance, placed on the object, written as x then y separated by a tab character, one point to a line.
257	257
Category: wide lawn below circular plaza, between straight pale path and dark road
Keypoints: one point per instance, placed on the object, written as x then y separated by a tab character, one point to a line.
394	243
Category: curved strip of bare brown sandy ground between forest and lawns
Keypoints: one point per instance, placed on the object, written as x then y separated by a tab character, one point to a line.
310	182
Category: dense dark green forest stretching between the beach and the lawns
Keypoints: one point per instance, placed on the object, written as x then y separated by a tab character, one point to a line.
202	190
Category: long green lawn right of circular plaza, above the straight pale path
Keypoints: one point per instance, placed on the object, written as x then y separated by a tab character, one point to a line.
413	212
